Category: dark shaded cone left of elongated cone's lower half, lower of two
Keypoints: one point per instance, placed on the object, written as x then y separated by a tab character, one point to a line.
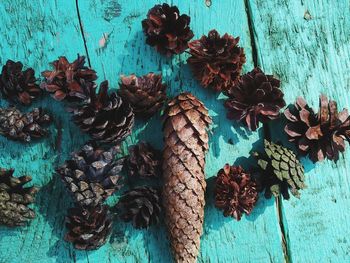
141	206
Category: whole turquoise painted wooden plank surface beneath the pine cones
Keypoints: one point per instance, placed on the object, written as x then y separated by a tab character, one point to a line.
305	43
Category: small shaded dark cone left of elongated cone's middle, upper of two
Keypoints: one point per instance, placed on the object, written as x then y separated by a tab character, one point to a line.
143	161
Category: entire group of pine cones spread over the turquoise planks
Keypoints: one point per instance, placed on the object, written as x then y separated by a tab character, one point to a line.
94	172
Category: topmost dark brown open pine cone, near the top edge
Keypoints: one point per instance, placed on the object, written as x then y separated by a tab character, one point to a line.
167	30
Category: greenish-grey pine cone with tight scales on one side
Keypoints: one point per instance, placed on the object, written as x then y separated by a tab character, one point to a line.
280	170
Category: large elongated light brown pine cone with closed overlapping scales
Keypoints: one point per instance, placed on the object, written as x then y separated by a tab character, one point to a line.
186	142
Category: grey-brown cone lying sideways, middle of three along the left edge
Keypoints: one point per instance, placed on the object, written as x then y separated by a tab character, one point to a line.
24	127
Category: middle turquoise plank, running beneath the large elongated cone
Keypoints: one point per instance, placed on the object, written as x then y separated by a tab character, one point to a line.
254	239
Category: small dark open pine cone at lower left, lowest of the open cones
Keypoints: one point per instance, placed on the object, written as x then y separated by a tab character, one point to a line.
88	227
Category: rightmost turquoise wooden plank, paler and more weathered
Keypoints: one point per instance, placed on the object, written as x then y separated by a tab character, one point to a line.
306	44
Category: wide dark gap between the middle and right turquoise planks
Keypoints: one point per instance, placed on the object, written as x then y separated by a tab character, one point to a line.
267	134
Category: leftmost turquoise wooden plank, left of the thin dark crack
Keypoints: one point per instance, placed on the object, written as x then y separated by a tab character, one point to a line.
37	32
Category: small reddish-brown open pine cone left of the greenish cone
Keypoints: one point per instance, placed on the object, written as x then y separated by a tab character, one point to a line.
235	191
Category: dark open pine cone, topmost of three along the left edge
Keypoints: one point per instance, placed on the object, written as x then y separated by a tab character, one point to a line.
17	85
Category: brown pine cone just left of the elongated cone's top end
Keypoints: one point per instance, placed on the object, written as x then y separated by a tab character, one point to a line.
145	94
